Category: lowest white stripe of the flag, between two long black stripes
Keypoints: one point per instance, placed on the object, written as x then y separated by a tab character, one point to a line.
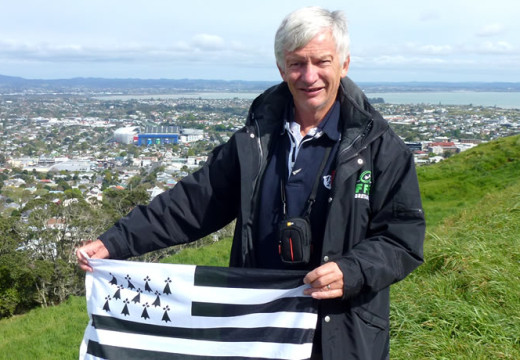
206	348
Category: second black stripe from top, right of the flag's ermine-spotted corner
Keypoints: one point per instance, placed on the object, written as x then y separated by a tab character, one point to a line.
222	310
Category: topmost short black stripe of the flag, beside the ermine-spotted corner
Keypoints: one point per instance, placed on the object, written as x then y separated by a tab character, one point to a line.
248	278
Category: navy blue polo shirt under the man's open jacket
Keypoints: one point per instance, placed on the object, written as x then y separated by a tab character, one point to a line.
299	165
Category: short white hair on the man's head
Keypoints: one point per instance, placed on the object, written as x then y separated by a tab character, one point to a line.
302	25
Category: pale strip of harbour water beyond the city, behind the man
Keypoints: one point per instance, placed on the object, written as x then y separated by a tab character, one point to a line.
509	100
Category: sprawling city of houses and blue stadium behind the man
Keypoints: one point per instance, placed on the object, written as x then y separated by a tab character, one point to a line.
52	143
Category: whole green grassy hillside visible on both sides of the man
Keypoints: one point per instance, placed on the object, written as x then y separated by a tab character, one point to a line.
461	304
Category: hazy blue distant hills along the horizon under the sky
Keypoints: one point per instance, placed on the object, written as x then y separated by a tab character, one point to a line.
10	84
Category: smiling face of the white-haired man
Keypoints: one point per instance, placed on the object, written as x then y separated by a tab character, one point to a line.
313	74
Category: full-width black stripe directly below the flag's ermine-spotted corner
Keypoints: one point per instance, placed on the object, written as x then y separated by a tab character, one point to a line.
260	334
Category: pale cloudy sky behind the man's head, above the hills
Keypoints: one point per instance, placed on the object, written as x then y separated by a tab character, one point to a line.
398	40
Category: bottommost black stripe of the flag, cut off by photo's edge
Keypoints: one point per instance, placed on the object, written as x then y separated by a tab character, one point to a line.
114	352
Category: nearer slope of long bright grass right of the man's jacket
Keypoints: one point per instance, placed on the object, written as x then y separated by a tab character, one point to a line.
463	303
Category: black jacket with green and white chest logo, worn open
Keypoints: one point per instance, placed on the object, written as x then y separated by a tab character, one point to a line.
375	225
